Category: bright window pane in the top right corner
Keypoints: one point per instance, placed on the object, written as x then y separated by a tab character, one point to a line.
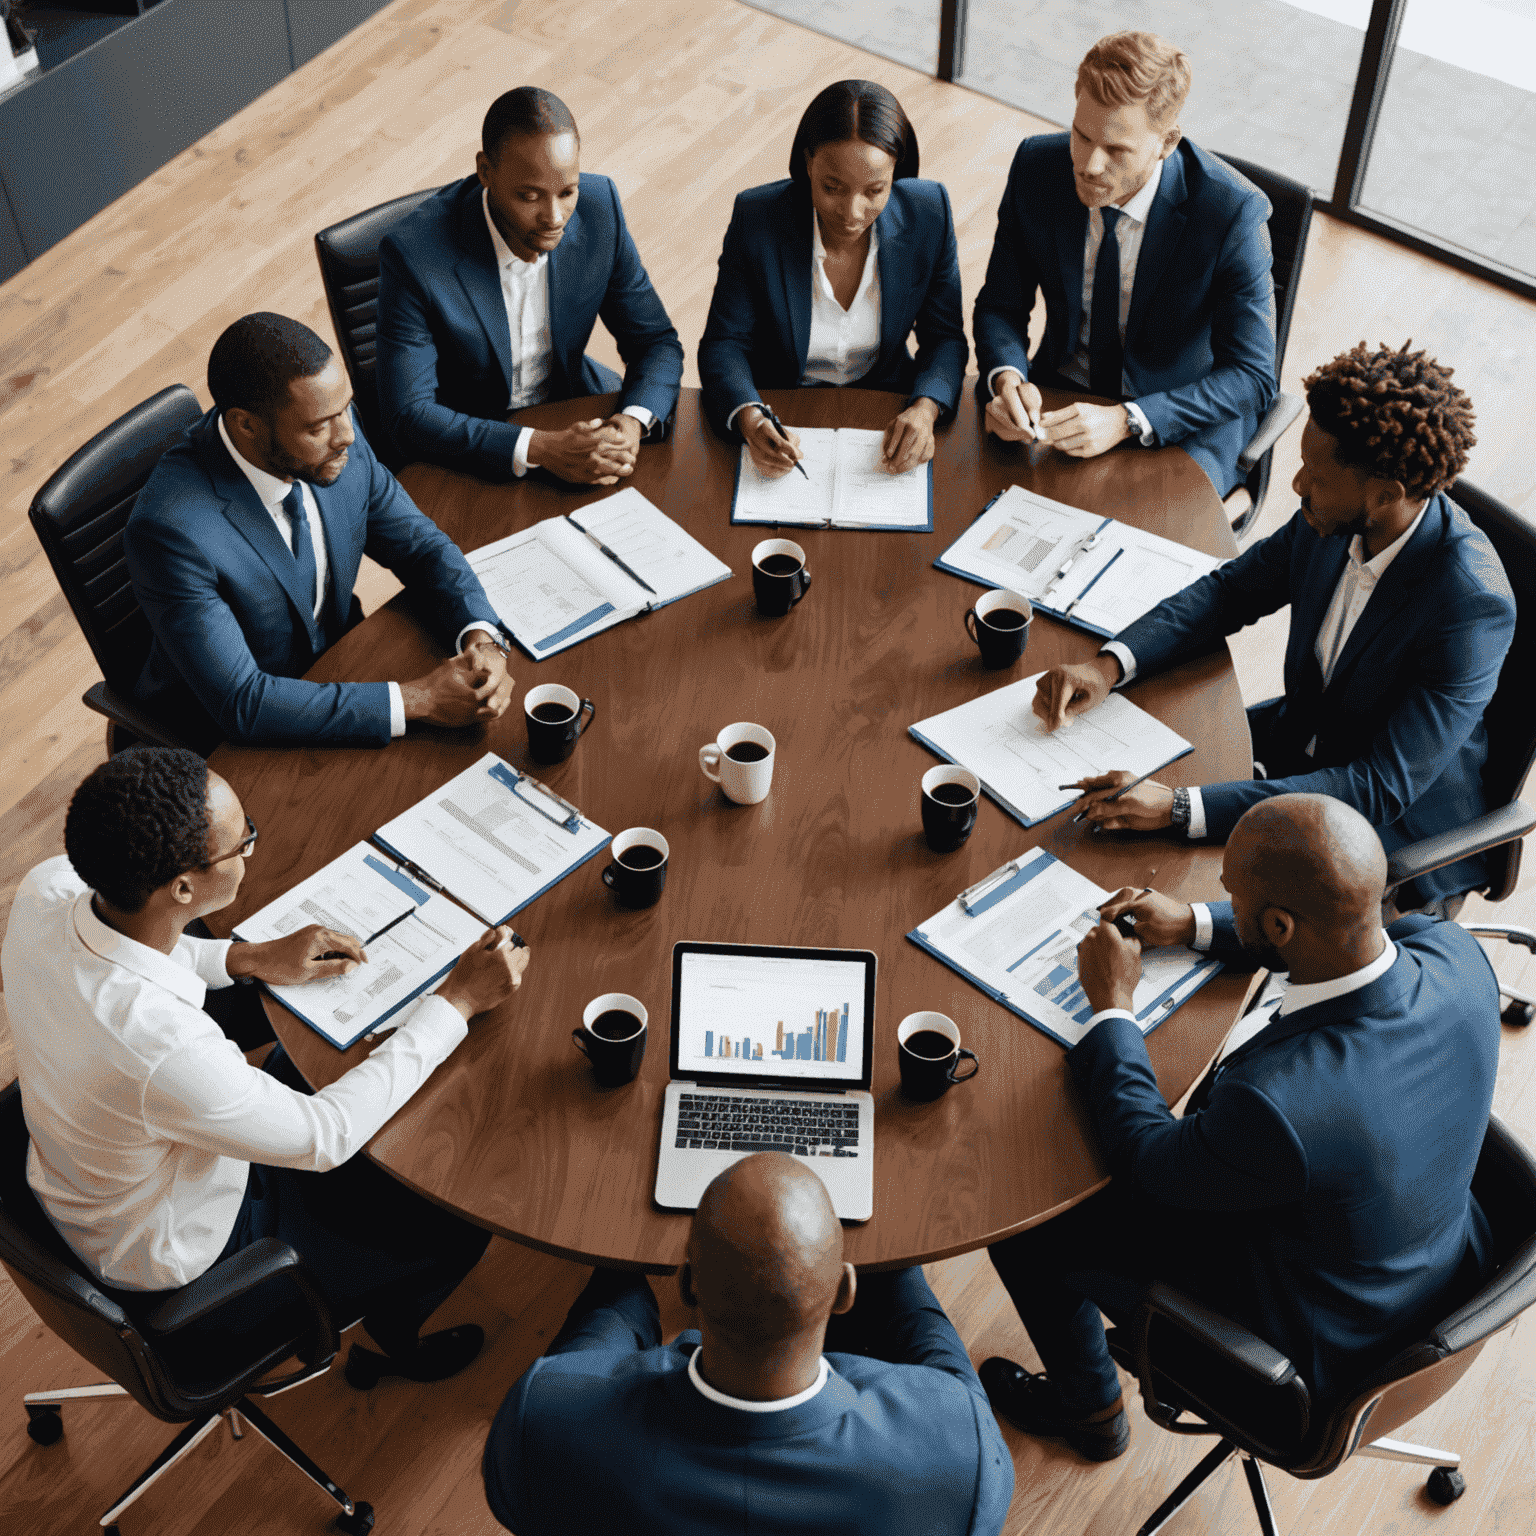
1455	142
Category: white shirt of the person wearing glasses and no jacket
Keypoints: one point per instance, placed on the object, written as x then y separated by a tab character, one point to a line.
144	1116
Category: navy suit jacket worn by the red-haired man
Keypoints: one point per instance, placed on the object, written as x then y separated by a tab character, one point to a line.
1200	339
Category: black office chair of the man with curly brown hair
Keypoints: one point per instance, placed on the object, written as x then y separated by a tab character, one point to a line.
1512	744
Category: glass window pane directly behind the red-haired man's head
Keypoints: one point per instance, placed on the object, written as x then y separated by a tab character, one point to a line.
1273	79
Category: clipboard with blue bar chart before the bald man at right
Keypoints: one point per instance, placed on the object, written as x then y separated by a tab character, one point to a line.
1019	944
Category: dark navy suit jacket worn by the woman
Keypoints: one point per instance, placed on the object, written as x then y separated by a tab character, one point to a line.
760	328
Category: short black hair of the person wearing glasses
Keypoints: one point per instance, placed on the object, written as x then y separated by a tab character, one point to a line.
139	823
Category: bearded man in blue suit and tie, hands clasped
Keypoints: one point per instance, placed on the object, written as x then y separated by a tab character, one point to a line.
245	546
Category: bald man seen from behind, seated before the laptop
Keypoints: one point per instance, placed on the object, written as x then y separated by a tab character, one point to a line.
746	1425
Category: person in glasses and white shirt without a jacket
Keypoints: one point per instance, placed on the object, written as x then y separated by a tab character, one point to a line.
156	1150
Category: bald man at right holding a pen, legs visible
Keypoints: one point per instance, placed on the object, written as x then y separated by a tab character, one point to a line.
1319	1188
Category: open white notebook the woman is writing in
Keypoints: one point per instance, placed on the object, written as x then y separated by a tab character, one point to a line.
846	486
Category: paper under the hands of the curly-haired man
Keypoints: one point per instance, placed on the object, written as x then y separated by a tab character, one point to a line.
1022	766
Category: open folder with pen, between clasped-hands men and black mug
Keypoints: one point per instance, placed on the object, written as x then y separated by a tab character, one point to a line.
569	578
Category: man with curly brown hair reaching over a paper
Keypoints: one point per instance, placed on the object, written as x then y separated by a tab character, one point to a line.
1400	618
